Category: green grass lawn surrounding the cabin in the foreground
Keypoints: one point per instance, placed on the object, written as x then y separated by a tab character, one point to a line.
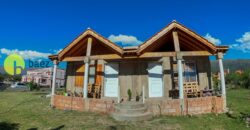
28	110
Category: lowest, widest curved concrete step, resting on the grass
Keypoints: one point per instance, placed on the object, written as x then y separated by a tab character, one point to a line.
132	117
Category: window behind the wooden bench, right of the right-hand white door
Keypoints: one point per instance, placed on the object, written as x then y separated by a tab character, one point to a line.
190	72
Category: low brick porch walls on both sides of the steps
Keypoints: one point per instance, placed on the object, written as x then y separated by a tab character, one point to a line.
157	106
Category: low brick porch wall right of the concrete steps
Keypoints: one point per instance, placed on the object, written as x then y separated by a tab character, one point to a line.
193	106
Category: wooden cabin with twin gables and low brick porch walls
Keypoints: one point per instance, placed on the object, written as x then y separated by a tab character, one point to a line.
170	73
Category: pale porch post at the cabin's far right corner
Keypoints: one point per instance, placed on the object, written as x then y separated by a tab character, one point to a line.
222	80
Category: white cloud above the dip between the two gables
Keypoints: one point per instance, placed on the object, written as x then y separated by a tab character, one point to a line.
125	40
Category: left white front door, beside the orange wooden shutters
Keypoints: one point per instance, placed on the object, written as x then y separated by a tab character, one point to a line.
111	80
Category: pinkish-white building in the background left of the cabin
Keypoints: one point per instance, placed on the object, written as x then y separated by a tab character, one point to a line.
43	77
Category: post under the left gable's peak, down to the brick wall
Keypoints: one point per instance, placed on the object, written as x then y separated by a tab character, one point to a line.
86	71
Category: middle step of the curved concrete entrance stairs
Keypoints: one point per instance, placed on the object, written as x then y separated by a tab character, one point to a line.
123	110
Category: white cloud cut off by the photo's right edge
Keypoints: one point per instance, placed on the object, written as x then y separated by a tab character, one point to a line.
244	43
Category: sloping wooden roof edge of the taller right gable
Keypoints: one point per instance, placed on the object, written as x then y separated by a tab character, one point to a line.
176	26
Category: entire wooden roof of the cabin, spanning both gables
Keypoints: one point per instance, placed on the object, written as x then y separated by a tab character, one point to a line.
160	42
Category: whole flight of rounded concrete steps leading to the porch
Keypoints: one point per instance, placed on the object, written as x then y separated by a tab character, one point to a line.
131	111
